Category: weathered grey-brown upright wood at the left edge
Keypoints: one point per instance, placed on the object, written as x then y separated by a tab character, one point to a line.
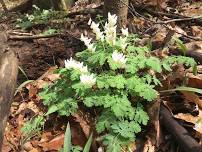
8	77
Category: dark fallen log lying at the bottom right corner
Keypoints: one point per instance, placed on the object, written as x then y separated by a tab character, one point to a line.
187	143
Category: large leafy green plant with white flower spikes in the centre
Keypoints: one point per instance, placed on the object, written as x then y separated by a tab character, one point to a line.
113	77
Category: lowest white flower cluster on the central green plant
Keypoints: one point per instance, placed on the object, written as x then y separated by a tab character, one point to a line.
89	80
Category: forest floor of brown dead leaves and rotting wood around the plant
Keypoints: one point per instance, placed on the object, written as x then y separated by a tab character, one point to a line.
40	56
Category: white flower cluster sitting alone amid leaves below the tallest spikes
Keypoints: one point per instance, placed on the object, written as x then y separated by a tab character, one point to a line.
119	58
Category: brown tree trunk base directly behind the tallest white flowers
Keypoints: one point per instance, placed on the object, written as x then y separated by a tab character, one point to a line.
118	7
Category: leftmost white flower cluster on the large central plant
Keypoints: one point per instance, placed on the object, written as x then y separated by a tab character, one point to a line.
73	64
